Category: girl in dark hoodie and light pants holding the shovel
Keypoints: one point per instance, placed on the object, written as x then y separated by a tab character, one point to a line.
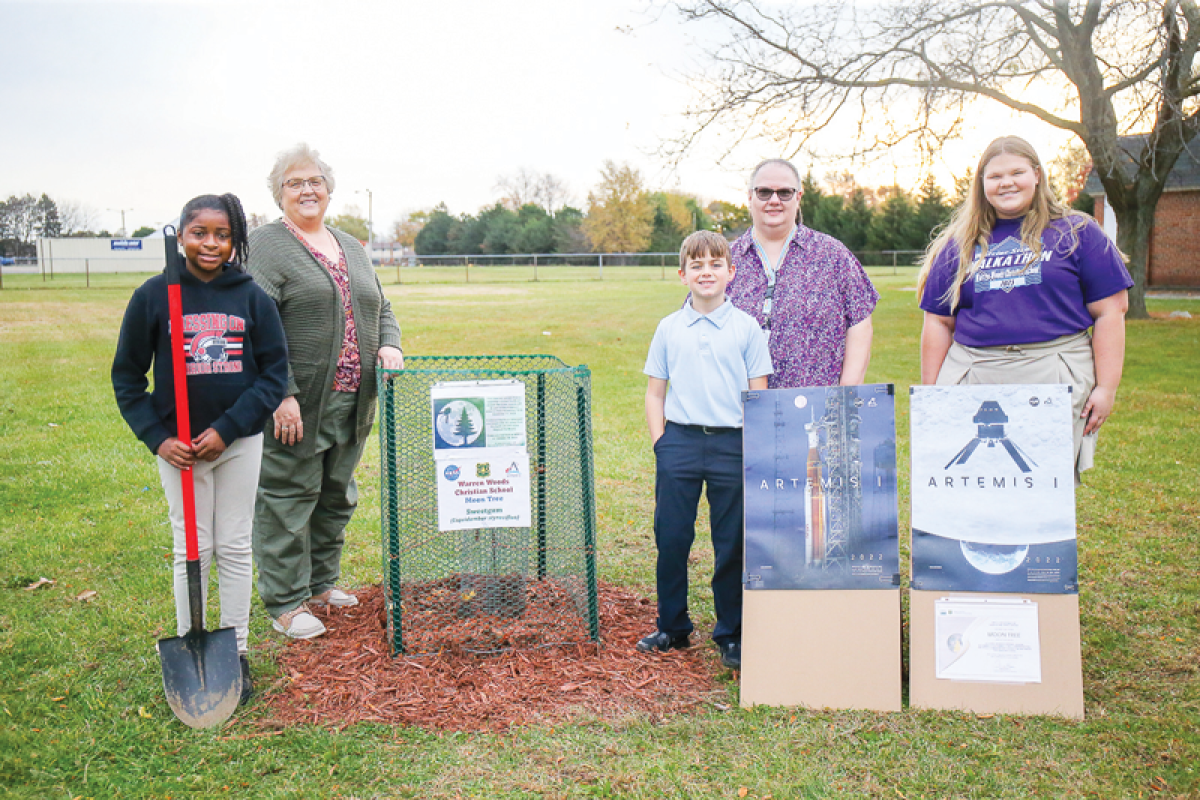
236	357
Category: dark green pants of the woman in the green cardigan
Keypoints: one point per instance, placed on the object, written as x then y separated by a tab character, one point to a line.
304	506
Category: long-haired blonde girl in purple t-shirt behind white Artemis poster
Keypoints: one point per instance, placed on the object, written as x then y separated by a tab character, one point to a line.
1012	286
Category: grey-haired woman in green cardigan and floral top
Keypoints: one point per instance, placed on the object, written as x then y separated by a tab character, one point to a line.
339	326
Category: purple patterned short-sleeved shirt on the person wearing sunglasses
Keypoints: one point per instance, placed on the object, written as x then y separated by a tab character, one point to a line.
821	291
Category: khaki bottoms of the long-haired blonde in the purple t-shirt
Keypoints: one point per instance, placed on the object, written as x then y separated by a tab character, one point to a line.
1066	360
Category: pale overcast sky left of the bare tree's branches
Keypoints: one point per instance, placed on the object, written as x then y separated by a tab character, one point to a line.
141	106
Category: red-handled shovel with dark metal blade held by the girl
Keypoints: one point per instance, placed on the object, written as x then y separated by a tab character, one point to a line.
201	672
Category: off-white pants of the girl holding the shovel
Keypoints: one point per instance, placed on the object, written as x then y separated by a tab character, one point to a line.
225	515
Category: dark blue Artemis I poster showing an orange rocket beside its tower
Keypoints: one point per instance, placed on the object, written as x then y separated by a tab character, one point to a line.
821	489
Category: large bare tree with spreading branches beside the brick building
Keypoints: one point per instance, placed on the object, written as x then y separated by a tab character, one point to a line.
910	73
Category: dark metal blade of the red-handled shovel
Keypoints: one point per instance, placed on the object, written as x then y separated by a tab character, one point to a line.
202	676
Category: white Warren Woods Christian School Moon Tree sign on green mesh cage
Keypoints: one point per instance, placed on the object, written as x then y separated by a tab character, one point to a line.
483	492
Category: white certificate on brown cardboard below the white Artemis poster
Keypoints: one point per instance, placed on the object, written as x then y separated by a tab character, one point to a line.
988	640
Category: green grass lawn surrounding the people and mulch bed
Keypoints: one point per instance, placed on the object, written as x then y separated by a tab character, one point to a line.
82	713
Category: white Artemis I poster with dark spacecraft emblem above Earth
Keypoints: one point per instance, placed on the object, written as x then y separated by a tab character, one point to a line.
993	489
